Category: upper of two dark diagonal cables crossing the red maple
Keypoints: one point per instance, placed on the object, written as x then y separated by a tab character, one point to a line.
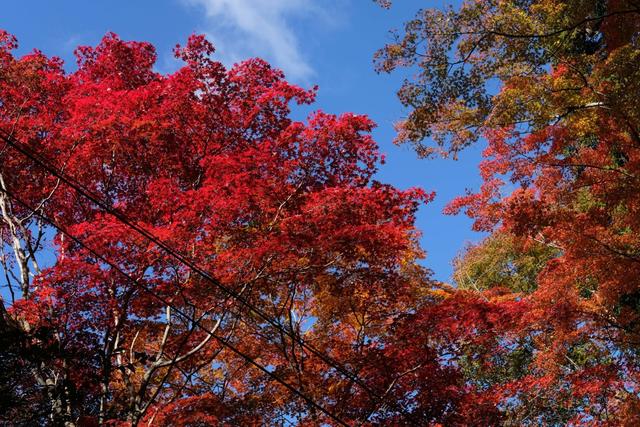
45	164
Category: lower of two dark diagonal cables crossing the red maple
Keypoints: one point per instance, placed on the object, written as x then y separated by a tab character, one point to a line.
181	312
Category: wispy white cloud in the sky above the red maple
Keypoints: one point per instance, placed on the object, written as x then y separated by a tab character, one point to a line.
244	28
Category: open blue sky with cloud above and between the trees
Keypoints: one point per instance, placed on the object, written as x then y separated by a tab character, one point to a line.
324	42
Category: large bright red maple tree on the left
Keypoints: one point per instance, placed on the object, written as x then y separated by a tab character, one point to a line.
106	327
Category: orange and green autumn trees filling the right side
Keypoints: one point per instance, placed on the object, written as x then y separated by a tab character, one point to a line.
552	86
